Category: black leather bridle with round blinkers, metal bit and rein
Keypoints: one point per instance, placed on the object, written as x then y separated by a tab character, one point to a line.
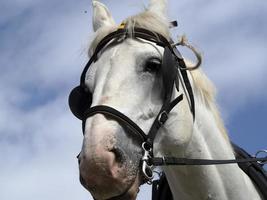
80	100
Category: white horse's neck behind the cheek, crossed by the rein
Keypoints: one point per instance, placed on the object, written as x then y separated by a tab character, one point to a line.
209	182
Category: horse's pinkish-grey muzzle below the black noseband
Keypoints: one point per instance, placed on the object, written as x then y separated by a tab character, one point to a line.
109	161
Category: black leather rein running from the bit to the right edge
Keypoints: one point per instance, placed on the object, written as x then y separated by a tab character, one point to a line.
160	161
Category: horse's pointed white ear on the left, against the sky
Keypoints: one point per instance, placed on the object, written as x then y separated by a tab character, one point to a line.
101	16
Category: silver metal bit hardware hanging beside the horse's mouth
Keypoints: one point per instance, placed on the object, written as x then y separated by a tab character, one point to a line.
147	168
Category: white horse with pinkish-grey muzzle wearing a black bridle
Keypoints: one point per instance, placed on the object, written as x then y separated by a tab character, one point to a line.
126	77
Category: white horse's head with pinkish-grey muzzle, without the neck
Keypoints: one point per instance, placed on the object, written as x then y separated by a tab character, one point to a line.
127	76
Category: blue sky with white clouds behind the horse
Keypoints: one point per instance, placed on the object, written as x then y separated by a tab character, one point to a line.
42	52
